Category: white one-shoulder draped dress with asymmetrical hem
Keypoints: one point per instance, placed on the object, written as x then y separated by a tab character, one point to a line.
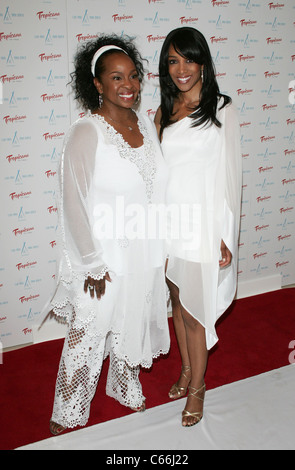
205	185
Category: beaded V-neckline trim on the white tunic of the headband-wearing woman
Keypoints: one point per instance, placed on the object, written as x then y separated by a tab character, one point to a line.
145	162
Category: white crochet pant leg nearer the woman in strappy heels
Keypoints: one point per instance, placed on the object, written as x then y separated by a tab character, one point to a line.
123	382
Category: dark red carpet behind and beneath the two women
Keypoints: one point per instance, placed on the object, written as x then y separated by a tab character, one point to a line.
254	337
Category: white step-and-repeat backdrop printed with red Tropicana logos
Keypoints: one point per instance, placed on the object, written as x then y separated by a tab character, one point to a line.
253	47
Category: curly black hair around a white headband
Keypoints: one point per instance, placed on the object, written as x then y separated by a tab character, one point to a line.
82	79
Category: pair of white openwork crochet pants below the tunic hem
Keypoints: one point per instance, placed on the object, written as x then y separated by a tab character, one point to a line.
78	375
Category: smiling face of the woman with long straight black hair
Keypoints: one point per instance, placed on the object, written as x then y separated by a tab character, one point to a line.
185	73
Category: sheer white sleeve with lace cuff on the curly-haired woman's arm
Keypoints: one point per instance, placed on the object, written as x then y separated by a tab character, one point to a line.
83	252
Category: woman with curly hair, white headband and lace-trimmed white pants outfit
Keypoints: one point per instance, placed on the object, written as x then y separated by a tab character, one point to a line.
111	285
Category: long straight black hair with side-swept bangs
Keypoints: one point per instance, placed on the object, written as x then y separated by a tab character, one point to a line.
191	44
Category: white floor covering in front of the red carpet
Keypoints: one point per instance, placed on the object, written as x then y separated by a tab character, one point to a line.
257	413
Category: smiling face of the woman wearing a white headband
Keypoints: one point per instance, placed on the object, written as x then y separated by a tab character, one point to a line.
119	82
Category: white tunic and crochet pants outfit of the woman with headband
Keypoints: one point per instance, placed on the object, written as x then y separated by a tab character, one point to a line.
129	323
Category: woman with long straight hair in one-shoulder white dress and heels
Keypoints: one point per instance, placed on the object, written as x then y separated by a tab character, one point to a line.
200	139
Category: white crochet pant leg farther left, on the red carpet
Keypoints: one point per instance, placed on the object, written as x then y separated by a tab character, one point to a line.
77	378
